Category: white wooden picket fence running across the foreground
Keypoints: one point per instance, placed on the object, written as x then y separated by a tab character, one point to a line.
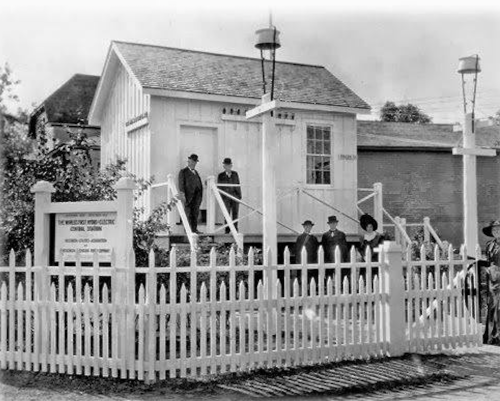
140	323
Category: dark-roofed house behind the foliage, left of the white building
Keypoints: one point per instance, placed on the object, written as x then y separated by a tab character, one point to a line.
68	108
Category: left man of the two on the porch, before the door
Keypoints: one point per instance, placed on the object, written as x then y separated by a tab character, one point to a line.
191	190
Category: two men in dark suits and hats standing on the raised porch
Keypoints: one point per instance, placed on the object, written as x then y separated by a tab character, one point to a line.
191	190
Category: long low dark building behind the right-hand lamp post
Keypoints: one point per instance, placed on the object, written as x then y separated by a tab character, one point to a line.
421	177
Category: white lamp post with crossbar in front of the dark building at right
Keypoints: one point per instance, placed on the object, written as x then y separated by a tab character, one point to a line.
469	66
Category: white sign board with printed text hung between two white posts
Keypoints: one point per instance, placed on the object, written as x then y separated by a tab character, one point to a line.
87	233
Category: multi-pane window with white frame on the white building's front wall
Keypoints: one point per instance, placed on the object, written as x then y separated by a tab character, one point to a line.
319	153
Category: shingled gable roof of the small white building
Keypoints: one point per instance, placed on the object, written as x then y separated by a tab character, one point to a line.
218	74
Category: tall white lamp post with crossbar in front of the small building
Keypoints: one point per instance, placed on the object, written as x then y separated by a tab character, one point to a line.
268	42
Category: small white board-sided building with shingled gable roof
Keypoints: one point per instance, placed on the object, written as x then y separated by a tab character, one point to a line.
156	105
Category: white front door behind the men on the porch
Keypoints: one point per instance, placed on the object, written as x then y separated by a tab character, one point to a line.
201	141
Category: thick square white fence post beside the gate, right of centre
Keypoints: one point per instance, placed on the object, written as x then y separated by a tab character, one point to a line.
395	305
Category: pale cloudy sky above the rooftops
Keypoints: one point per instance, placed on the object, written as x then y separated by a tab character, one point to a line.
402	51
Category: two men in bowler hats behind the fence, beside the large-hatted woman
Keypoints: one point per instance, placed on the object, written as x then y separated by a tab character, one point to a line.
329	241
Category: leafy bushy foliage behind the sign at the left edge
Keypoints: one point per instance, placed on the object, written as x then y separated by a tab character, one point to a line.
68	166
